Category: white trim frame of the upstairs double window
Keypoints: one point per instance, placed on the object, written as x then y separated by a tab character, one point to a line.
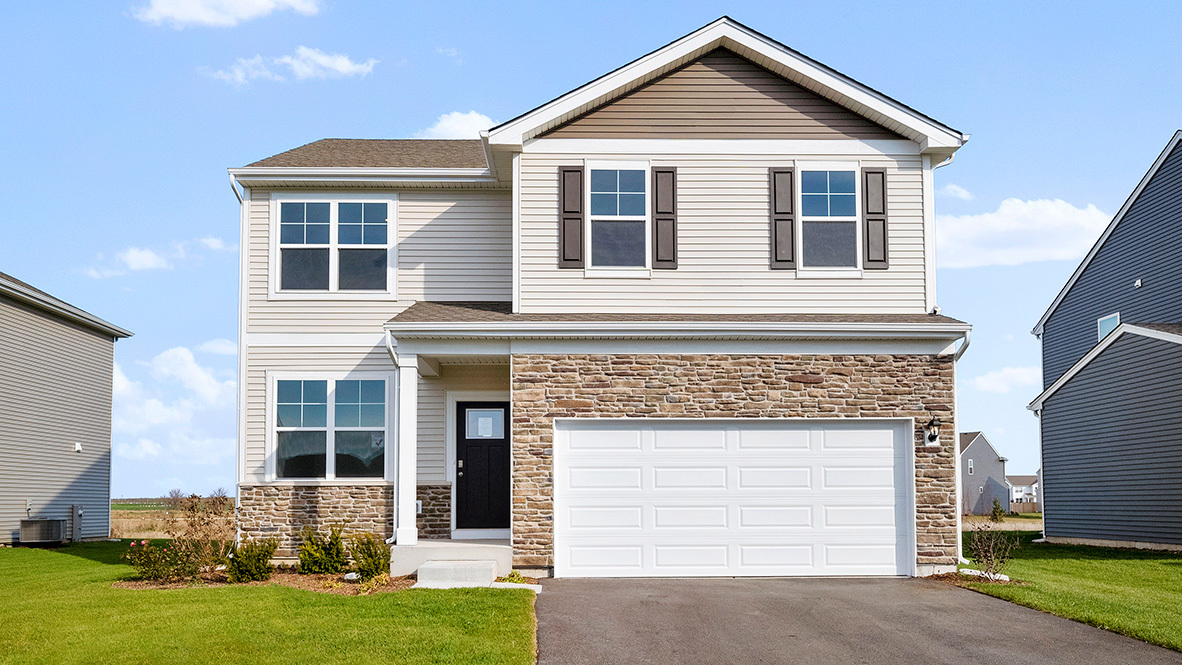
392	246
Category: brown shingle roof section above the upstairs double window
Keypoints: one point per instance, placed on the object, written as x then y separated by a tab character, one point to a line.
382	154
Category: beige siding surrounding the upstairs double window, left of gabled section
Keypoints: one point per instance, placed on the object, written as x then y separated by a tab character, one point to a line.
453	245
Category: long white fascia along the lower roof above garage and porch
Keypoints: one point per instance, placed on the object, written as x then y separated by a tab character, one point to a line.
676	330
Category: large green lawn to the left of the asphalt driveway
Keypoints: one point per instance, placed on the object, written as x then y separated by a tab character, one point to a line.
59	607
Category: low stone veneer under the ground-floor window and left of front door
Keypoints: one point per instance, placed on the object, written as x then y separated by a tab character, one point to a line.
283	511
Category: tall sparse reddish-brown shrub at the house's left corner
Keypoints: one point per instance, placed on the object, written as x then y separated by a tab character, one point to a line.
204	531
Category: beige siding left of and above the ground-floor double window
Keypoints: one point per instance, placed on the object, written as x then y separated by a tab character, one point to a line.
294	360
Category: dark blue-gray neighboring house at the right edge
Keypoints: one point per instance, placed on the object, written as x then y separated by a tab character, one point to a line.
1112	407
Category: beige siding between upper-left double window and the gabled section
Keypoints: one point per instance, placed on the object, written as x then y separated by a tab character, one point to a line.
456	246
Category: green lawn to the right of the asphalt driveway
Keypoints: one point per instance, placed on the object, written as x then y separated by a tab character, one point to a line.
1138	594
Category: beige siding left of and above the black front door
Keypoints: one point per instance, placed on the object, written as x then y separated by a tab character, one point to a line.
433	409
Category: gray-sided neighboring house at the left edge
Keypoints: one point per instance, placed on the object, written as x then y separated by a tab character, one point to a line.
56	371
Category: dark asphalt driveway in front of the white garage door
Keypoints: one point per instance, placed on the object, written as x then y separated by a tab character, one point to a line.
811	622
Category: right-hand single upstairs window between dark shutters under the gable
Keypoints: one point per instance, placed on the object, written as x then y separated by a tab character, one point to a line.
829	219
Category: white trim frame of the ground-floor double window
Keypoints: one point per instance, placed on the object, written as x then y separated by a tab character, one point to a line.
274	379
